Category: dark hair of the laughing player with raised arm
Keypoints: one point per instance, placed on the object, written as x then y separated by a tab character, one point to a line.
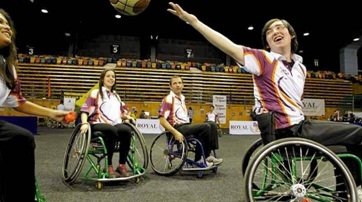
287	25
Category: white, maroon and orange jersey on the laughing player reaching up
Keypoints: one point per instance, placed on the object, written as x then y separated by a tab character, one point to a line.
278	86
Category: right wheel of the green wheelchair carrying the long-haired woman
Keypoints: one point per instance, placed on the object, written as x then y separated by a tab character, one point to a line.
138	151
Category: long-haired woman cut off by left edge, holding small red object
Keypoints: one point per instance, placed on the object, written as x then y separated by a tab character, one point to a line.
17	145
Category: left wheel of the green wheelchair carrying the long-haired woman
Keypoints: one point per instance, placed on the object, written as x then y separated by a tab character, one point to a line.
75	154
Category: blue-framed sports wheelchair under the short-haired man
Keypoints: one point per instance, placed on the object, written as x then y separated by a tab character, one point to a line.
169	156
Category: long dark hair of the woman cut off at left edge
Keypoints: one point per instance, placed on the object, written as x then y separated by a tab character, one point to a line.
8	56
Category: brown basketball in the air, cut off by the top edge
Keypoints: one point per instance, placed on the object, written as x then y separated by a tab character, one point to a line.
130	7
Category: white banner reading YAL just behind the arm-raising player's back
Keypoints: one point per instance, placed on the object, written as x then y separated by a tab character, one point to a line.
313	107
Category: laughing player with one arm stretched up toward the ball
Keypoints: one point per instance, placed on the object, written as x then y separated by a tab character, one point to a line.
279	77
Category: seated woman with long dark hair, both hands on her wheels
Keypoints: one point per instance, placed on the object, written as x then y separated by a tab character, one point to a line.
105	112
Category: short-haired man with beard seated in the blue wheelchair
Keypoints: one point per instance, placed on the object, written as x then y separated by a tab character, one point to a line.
173	117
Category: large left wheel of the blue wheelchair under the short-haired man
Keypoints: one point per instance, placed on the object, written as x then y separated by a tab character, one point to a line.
167	156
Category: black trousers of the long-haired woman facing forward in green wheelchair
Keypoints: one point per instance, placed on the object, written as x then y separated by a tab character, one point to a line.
113	134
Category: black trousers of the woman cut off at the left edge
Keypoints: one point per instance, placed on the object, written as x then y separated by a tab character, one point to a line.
17	163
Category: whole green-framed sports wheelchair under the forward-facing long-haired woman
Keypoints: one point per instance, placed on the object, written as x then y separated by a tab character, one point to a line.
92	148
